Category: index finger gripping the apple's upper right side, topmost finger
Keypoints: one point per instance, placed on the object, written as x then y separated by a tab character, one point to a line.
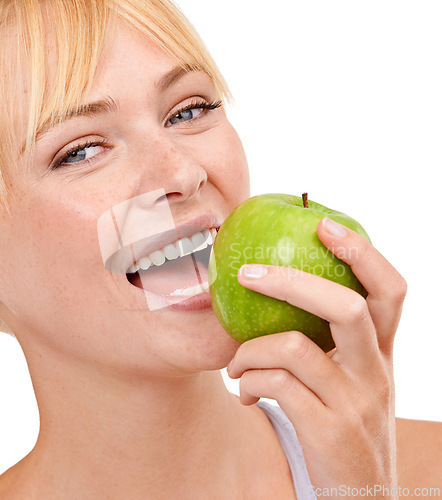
385	286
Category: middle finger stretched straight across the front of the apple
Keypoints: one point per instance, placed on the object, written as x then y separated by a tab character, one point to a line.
350	322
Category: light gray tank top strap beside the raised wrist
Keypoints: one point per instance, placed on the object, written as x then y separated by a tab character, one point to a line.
292	449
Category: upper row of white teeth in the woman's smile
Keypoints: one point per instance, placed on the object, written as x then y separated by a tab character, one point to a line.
180	248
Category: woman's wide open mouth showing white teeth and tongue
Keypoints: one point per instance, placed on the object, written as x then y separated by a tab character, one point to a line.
179	270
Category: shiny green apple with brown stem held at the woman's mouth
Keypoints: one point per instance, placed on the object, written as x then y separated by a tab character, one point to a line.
278	230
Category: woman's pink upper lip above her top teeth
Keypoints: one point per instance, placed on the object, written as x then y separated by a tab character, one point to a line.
184	230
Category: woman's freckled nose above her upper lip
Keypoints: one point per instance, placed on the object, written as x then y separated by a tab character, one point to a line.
175	169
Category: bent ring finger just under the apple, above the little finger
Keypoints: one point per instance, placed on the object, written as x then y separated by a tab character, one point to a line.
298	355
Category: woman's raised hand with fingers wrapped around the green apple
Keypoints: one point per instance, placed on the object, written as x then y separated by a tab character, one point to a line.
340	403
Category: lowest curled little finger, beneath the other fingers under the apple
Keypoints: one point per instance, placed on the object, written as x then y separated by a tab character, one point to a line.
300	405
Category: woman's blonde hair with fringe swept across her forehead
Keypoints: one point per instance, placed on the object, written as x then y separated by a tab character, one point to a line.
77	31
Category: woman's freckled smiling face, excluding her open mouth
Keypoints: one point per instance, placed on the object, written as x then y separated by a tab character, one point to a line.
59	294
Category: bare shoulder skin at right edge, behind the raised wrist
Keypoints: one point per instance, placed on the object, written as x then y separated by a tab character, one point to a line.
419	453
